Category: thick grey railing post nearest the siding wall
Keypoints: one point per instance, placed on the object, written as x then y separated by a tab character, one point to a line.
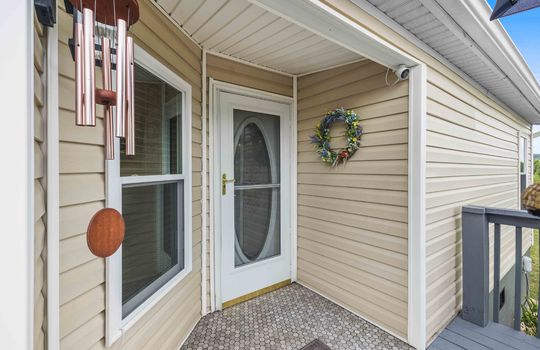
475	238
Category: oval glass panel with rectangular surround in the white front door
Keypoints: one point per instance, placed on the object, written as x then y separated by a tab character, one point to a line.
257	187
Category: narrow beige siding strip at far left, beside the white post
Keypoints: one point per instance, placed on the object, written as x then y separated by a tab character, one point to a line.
40	198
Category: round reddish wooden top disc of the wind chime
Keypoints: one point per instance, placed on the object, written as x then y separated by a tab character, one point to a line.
108	11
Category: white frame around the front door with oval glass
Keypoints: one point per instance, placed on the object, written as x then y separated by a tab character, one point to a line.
215	88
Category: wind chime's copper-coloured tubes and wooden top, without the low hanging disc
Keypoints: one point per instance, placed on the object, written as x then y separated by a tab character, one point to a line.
100	37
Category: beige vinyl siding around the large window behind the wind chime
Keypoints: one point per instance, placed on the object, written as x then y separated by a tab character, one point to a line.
82	193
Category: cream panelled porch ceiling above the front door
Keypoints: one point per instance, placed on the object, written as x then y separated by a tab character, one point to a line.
248	32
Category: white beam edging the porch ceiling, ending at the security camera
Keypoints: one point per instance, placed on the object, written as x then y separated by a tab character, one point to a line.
324	21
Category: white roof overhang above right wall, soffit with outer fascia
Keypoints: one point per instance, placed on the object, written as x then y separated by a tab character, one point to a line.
469	42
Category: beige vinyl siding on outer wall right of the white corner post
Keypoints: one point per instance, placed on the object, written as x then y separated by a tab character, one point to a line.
474	177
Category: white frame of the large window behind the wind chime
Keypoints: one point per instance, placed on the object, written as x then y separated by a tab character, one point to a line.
115	324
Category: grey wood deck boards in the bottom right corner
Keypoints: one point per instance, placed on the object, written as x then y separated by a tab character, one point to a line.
460	334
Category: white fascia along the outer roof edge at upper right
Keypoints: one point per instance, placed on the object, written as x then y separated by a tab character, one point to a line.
490	37
